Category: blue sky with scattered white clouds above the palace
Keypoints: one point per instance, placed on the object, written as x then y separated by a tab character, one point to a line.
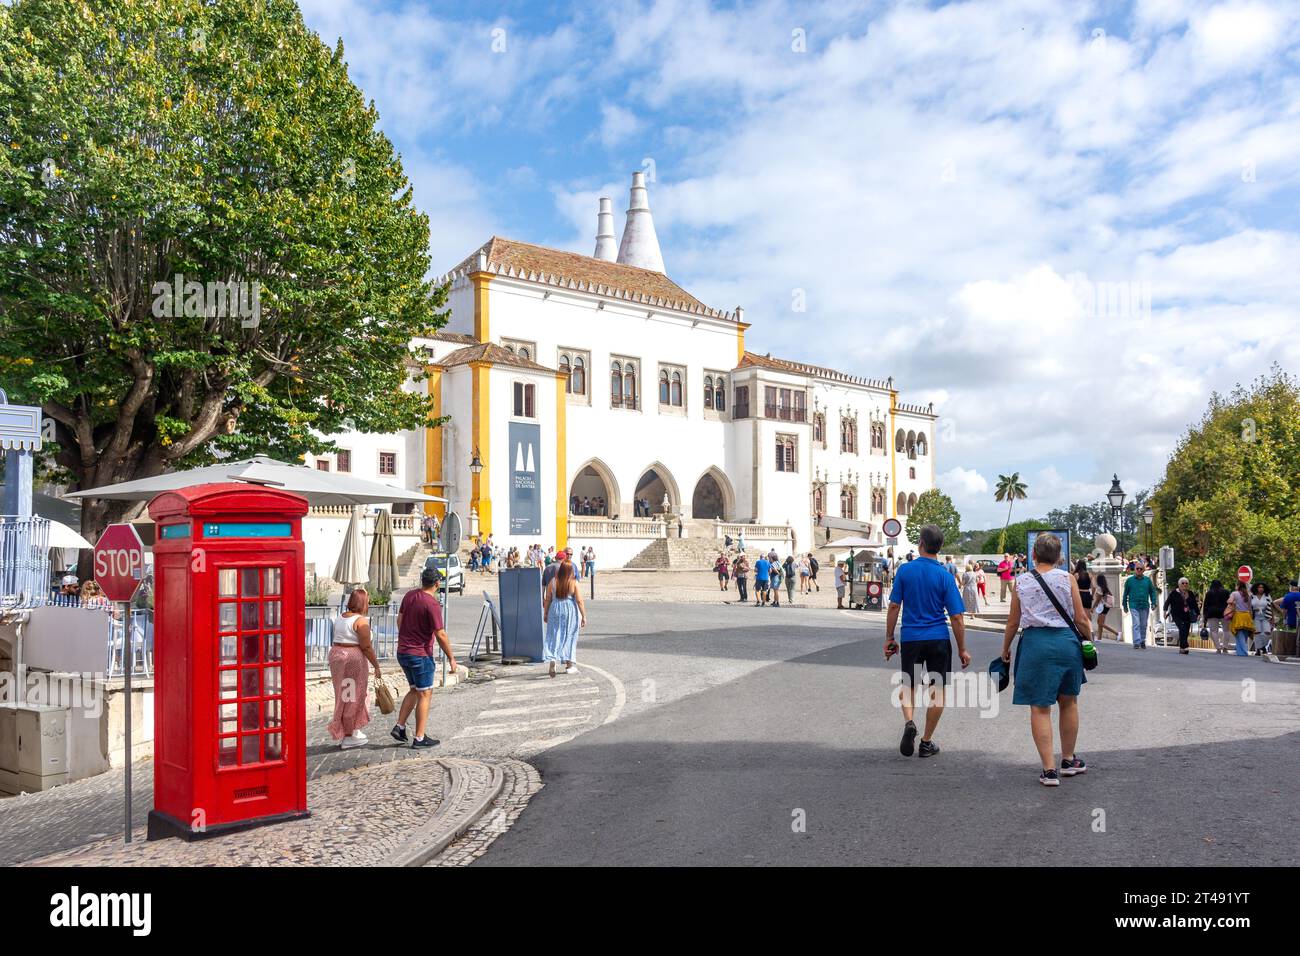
950	188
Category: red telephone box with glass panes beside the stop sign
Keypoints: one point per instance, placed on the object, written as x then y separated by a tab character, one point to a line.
229	717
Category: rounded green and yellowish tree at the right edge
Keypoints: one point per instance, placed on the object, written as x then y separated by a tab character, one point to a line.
1232	491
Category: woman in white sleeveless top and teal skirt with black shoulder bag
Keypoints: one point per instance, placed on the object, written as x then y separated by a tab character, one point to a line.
1050	661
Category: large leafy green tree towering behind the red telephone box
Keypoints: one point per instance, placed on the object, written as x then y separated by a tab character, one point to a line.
154	142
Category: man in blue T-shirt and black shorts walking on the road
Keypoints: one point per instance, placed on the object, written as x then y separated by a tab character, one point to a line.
924	591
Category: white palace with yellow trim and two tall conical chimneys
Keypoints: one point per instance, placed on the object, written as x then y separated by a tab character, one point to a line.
610	408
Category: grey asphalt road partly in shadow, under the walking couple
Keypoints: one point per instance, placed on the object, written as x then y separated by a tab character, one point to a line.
769	737
